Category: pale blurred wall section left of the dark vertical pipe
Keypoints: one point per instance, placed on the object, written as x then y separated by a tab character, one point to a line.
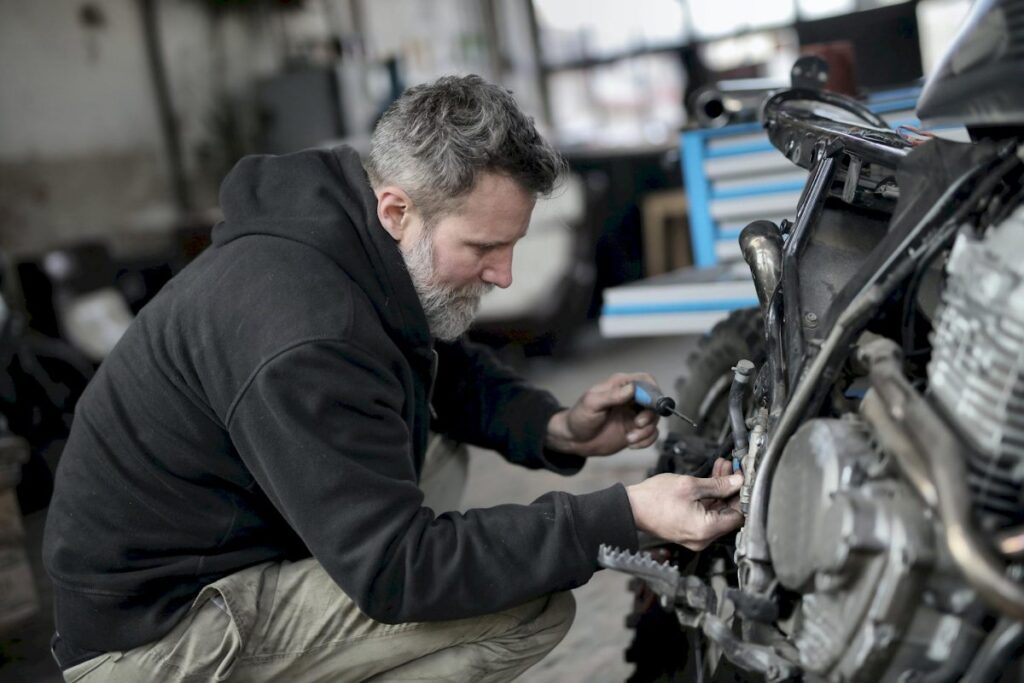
80	144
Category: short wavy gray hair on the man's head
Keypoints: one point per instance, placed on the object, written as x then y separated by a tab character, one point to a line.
438	139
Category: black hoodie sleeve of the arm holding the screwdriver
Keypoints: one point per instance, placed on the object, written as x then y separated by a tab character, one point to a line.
485	403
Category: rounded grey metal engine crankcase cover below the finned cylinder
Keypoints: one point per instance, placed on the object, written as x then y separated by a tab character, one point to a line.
852	539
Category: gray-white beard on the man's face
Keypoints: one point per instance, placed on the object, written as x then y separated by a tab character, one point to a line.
450	311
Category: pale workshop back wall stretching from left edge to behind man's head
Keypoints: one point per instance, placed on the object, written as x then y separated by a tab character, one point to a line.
82	152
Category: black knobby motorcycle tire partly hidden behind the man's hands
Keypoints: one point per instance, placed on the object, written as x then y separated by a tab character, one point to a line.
662	651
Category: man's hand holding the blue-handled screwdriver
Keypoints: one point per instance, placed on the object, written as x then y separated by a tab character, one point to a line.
605	420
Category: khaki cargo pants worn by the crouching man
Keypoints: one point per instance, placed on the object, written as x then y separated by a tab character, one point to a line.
290	622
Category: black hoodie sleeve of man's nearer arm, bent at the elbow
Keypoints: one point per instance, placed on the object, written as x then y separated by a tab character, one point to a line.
320	426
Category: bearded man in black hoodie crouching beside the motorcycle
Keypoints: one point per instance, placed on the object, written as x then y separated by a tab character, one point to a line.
239	499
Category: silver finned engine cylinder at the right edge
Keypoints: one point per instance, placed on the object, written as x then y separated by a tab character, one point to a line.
977	369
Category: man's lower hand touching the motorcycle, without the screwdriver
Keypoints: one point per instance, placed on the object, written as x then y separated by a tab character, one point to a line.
688	510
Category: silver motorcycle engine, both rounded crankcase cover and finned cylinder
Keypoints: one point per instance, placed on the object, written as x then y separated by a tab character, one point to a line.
875	593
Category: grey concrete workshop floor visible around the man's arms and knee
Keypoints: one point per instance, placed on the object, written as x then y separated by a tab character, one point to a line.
593	650
